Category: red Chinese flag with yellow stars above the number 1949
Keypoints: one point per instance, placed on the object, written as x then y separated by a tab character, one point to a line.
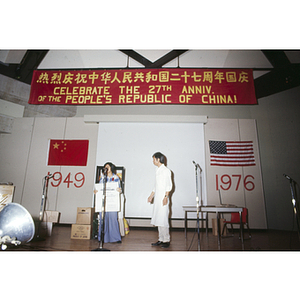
68	152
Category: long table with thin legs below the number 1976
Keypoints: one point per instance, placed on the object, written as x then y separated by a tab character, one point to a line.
214	209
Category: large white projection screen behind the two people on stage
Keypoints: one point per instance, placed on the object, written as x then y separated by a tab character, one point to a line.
132	145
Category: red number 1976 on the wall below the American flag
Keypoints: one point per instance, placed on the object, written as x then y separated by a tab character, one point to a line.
225	182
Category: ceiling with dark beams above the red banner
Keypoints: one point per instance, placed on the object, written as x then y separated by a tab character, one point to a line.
279	71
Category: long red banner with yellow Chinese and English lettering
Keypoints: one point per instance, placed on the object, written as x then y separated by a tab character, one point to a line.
143	86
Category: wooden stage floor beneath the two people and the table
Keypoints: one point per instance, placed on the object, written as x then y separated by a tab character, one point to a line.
141	239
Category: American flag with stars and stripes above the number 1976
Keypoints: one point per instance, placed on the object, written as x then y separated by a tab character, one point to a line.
231	154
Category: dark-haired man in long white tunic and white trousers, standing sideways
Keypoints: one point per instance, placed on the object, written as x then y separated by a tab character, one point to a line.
160	199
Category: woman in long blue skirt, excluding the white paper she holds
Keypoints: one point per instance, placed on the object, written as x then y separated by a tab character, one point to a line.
111	224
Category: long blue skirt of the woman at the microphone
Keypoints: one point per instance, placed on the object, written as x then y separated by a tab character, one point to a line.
111	228
